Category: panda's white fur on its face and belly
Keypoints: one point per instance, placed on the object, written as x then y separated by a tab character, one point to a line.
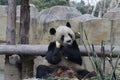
64	30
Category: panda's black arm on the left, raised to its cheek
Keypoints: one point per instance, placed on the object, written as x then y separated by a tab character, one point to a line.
53	55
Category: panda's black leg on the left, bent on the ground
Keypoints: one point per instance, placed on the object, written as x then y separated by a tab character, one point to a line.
43	71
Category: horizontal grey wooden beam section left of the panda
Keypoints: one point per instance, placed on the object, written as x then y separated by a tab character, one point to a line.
23	49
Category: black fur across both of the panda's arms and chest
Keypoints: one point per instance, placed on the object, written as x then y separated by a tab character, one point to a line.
72	53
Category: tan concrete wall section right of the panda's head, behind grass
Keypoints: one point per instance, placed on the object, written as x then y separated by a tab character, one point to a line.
96	31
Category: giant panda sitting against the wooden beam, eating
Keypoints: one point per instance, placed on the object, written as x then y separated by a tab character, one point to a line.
62	53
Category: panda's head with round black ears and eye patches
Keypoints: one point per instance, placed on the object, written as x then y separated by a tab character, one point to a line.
63	34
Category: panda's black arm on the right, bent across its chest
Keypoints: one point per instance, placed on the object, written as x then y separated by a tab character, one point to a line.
72	53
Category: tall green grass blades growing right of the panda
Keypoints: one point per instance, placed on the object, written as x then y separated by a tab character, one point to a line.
98	63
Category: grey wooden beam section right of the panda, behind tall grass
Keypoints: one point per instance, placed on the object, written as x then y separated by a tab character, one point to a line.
97	49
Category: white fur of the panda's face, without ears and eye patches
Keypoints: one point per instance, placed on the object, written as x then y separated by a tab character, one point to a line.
64	30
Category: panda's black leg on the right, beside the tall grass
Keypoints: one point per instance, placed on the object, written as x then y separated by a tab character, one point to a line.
85	73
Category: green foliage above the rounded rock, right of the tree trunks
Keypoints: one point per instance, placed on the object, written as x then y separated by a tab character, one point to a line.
43	4
